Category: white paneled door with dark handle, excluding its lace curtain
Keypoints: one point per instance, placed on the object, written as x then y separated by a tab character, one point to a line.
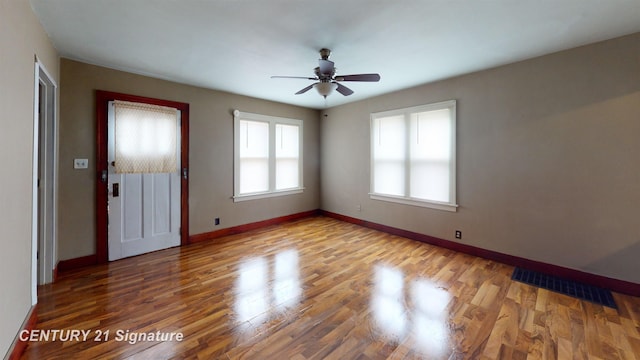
144	209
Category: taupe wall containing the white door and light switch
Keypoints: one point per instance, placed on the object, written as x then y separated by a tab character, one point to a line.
210	155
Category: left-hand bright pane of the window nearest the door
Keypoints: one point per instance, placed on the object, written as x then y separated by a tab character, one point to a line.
254	156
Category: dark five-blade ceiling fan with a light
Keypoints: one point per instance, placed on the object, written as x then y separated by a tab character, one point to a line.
327	80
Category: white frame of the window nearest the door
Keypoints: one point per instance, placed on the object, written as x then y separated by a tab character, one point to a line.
273	121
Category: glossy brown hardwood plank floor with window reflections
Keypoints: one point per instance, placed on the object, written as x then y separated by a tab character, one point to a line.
319	288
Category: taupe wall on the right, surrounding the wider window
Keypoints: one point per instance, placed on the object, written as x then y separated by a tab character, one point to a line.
548	159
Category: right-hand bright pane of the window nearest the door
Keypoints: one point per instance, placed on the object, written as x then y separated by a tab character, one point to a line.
287	156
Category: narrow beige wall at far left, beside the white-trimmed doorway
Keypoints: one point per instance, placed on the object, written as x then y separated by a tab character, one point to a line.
21	39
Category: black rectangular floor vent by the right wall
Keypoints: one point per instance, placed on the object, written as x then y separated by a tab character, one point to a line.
578	290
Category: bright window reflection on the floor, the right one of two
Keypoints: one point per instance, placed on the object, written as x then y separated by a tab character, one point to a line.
417	311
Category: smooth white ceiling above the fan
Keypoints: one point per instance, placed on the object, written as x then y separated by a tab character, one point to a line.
236	45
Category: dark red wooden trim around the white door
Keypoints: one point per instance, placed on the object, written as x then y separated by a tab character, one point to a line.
102	101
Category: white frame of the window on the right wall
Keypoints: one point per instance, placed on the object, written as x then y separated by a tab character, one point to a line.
406	199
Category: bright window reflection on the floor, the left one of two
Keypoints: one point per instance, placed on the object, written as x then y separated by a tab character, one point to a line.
263	292
